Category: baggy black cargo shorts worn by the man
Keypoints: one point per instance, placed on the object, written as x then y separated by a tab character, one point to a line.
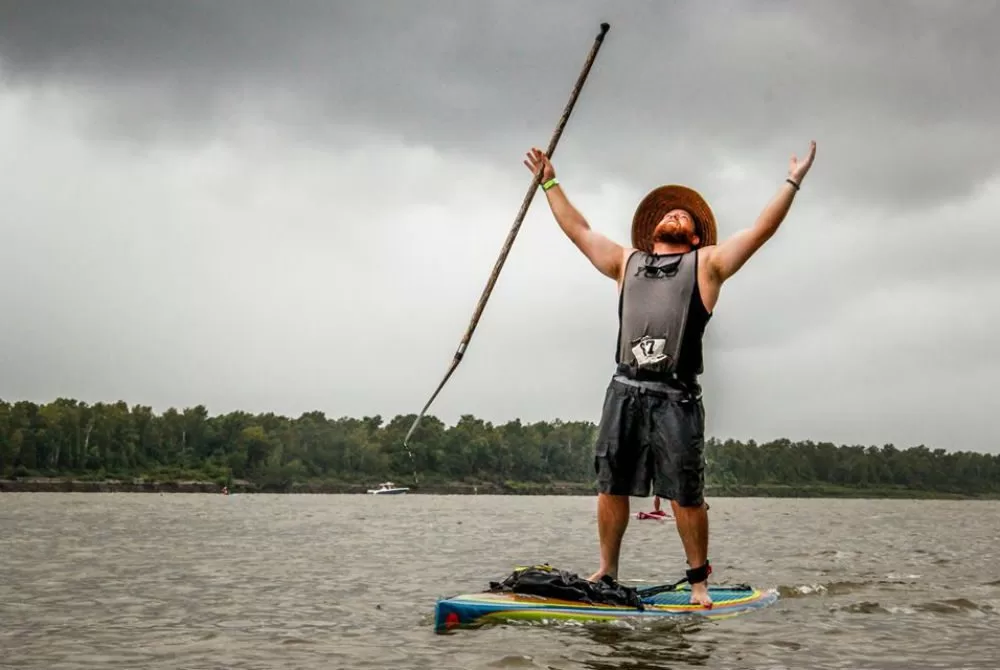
651	434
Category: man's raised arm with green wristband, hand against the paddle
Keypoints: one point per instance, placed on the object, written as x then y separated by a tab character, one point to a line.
603	253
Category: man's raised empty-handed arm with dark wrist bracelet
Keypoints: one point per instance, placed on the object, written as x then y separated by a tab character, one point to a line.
729	256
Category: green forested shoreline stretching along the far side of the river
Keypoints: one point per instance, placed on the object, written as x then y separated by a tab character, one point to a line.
70	445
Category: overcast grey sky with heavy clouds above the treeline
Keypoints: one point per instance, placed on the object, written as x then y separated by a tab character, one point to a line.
295	206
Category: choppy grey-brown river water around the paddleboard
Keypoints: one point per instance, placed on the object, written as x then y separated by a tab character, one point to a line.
325	581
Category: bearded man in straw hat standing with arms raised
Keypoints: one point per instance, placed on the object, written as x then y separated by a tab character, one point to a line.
652	423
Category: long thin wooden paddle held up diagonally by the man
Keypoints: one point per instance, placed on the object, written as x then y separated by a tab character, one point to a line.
513	232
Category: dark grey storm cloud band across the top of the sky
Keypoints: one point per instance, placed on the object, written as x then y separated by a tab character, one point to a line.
900	95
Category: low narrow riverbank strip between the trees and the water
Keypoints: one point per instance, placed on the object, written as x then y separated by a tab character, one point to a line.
139	485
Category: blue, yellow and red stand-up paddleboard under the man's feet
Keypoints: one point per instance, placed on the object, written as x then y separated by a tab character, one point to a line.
668	600
